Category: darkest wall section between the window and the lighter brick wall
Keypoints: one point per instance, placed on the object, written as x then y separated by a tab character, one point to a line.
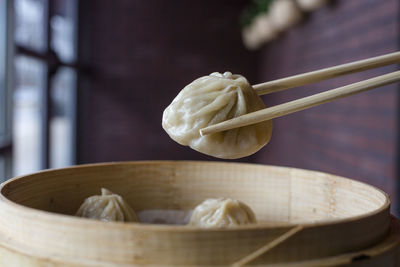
141	54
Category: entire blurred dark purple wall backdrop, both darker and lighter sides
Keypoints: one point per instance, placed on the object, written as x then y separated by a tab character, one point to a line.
140	54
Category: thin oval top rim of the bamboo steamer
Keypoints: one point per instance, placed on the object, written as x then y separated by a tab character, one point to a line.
182	228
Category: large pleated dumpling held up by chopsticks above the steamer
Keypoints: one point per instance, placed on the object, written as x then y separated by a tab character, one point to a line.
210	100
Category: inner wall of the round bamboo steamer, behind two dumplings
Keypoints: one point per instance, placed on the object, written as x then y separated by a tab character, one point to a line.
276	194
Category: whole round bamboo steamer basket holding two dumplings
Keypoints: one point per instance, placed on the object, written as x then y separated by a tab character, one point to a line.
341	219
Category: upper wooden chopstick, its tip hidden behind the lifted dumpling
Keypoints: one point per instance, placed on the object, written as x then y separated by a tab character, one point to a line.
327	73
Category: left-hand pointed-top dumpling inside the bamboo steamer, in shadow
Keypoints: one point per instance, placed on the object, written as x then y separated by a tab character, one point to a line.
107	207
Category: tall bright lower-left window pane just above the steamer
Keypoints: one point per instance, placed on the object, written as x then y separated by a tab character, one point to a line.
30	82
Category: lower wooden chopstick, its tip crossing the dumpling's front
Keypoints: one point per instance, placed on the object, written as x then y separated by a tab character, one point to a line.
302	103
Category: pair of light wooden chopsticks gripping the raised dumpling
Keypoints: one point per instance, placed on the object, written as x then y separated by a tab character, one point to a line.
313	100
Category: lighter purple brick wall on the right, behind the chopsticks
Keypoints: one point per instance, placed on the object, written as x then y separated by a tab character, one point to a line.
357	136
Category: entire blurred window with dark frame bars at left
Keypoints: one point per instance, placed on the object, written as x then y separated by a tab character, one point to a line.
45	78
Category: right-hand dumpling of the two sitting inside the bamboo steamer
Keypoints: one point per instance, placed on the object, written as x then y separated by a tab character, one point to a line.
221	212
